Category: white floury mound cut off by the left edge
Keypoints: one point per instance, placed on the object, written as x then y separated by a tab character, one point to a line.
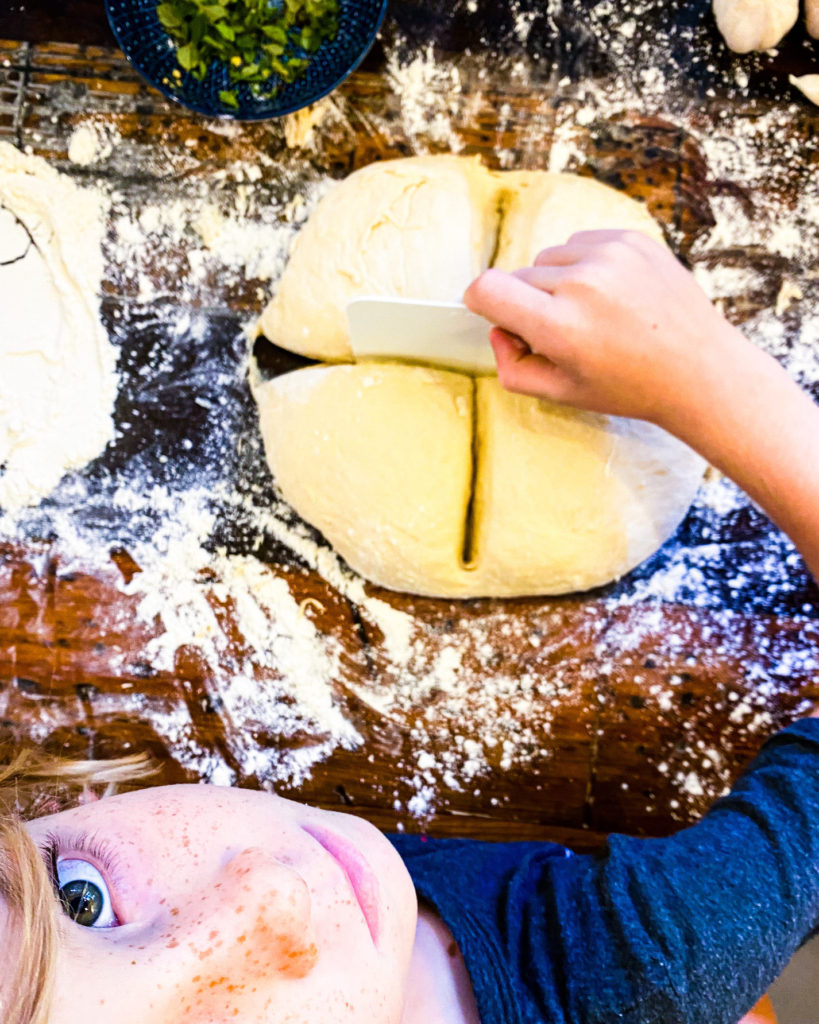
58	379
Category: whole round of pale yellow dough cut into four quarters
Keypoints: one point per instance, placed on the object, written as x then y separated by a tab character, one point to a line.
437	483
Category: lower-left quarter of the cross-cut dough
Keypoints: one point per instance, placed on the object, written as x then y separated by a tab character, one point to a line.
378	457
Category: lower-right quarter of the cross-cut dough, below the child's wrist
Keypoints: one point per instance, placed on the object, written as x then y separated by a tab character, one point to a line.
568	500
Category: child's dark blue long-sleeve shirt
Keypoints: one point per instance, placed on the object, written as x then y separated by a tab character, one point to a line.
686	930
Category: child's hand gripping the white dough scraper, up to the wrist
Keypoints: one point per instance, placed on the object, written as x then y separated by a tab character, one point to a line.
611	322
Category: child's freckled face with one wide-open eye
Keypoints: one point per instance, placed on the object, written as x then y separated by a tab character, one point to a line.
228	905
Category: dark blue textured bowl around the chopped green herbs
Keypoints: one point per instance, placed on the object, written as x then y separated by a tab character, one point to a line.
151	51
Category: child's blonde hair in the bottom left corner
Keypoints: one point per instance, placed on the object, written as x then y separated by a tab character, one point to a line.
33	785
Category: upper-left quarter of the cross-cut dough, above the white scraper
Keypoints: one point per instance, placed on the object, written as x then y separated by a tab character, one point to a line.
421	228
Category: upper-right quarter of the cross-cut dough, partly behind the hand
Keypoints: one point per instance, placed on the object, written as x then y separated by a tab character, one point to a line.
541	209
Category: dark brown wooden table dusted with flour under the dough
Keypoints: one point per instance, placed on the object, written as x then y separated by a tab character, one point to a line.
653	695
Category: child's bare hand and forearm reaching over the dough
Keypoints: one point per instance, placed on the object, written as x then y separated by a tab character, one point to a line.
613	323
